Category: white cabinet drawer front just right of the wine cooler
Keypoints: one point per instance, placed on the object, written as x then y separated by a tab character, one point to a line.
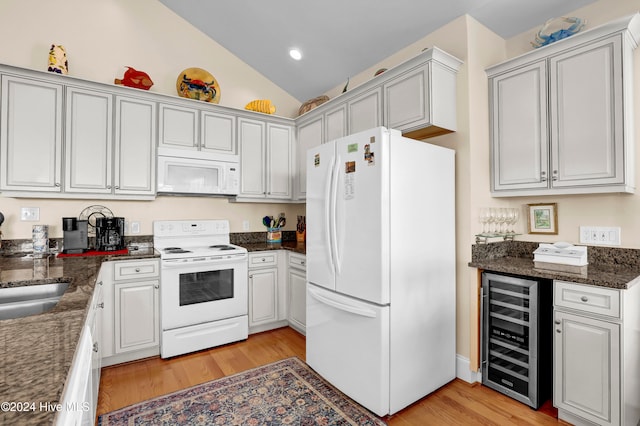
591	299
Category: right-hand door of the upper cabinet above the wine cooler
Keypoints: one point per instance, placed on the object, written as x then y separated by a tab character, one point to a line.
587	108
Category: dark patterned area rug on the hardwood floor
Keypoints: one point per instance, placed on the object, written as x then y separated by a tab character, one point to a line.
286	392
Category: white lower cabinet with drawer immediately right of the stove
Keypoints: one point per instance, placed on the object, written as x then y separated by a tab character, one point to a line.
267	302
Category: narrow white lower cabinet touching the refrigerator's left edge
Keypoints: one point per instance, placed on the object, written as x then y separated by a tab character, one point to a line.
297	284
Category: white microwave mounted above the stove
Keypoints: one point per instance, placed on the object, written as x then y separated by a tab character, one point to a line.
197	173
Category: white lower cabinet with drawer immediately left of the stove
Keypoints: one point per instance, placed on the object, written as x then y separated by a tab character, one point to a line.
131	328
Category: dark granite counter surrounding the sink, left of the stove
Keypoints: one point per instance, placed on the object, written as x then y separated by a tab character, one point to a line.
36	352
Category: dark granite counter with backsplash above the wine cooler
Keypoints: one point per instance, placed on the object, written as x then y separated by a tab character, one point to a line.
617	268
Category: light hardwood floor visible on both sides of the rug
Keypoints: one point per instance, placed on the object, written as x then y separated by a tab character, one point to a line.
457	403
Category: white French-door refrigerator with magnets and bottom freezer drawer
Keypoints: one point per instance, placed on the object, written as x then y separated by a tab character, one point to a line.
381	267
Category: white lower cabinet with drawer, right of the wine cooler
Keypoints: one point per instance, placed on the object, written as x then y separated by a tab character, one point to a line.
595	367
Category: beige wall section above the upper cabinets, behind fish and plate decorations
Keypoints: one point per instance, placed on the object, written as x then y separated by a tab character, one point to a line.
101	37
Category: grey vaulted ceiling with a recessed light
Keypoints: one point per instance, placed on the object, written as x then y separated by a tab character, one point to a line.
341	38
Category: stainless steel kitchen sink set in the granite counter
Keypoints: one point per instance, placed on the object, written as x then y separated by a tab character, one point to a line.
18	302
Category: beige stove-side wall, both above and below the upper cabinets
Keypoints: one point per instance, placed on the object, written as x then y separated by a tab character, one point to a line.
103	36
